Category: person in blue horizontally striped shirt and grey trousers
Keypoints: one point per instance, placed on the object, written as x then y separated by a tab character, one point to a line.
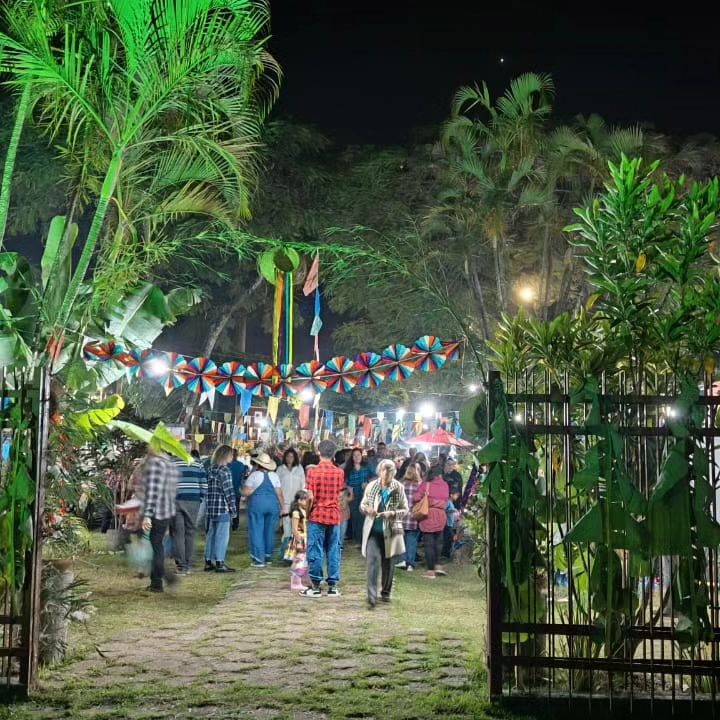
191	489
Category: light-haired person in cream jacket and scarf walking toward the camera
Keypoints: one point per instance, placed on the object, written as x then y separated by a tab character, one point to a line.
384	505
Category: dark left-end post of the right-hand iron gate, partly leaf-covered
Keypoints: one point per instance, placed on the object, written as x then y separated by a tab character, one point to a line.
494	588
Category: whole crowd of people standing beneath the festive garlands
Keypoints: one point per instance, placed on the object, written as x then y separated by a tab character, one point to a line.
391	507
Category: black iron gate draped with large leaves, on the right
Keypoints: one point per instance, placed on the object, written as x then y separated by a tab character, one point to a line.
552	648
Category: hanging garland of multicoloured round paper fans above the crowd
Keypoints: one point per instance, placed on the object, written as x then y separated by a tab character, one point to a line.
340	374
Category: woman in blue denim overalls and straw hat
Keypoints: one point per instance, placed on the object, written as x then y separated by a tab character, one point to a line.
265	498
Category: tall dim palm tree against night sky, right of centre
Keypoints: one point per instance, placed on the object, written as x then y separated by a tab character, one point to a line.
495	173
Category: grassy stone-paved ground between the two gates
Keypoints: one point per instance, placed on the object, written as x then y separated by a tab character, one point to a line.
244	646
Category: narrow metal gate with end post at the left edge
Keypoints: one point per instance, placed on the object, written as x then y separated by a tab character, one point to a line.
23	405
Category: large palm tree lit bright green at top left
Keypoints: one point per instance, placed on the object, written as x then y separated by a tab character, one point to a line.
158	108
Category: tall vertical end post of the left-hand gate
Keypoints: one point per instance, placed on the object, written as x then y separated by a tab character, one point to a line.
33	577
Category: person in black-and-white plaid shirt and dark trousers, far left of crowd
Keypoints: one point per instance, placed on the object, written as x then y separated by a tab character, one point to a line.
157	494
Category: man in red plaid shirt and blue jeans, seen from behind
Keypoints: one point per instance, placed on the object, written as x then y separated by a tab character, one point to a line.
325	484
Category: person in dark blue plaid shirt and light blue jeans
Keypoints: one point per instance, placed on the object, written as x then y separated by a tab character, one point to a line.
220	509
